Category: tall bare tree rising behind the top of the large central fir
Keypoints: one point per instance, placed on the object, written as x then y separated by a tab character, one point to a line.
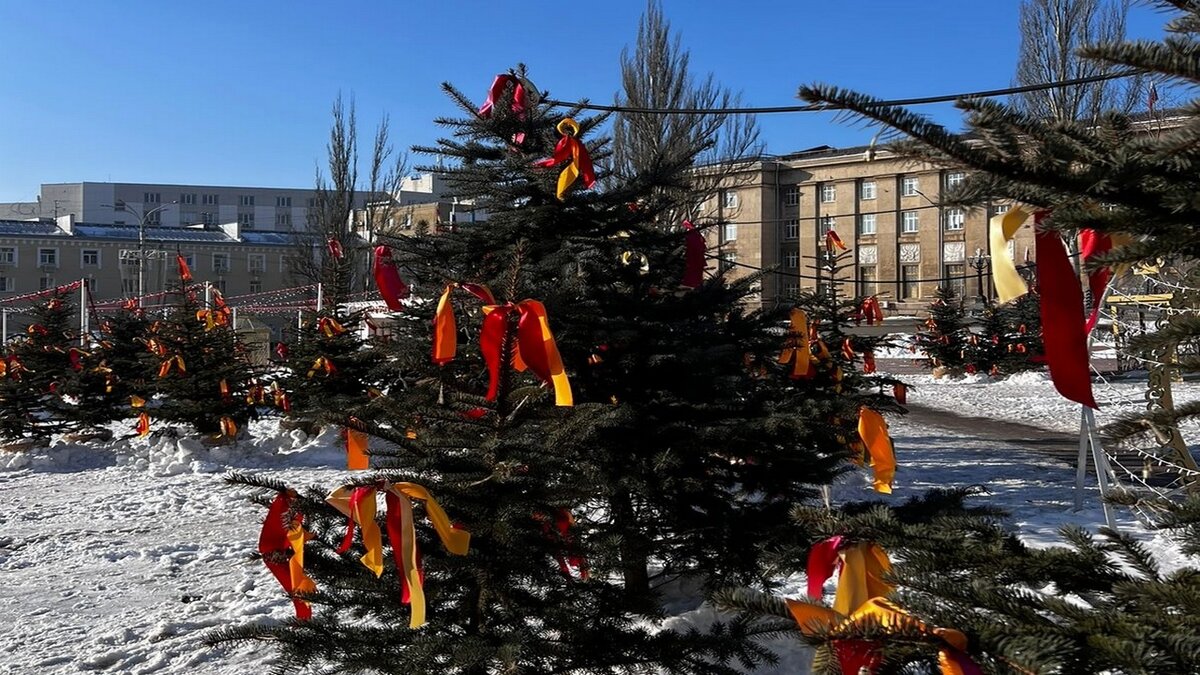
663	147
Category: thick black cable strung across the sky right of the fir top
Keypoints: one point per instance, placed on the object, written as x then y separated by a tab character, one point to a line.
820	107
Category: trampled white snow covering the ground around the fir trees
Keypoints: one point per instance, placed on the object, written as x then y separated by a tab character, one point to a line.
121	558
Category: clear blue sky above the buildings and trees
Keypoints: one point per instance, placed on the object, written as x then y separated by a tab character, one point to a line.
227	93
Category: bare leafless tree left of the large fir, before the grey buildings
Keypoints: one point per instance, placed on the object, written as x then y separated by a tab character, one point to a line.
345	218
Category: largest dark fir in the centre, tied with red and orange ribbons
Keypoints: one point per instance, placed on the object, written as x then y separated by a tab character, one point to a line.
657	435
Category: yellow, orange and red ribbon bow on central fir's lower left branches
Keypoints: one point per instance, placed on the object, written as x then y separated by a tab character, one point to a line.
359	506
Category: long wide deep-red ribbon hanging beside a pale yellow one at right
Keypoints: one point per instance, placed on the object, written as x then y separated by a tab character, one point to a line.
1063	319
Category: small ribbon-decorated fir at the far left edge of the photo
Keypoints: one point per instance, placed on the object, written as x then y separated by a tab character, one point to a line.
34	367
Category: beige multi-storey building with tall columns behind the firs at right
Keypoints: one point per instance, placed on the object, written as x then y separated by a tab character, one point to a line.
903	242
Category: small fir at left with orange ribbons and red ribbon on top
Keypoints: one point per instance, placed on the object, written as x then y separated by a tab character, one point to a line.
203	375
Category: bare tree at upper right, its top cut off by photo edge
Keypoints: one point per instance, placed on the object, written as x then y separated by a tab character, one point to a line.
1053	32
